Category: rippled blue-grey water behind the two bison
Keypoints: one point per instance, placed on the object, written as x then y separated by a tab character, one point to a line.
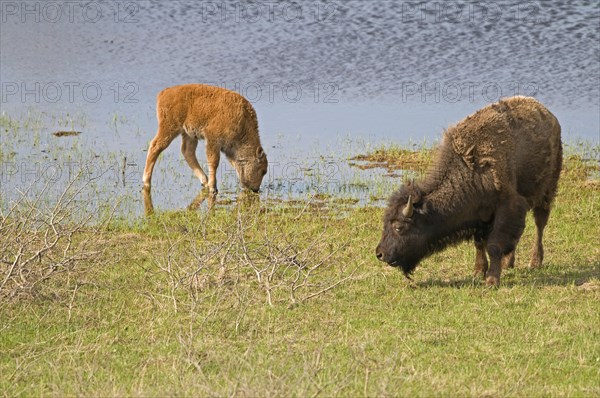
328	80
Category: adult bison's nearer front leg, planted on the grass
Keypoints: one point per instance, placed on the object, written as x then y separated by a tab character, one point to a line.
509	224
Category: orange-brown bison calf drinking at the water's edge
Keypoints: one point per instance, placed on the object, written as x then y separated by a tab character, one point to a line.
223	118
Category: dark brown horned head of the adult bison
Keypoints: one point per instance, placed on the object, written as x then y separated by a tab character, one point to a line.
404	241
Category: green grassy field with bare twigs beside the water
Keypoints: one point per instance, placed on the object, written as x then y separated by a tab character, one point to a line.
260	299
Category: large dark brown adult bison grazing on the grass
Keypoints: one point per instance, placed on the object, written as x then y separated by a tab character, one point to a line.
490	169
